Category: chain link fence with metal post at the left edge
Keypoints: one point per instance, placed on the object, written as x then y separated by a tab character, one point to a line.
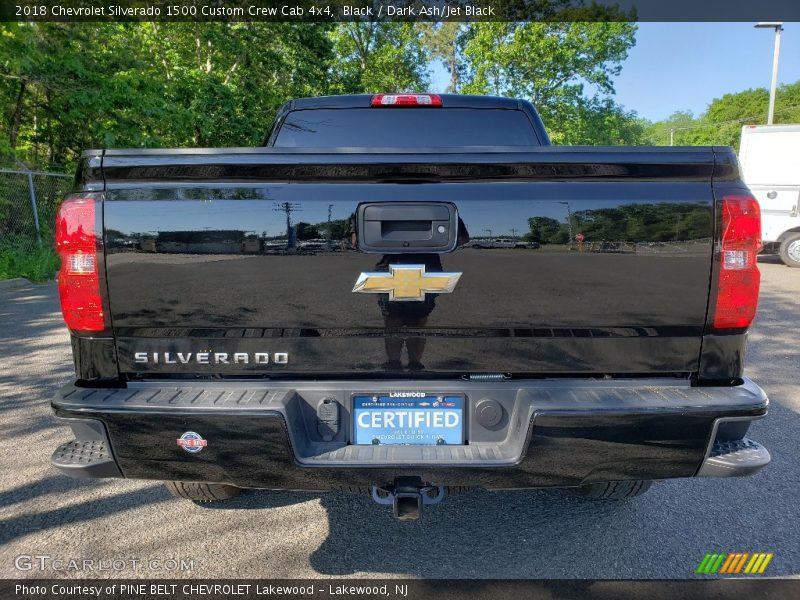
28	204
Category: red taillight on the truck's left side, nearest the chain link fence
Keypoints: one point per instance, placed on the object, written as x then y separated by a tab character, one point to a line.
79	278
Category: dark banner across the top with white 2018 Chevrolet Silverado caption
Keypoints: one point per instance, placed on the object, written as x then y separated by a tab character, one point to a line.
399	10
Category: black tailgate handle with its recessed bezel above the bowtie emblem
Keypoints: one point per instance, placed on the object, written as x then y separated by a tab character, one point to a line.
397	227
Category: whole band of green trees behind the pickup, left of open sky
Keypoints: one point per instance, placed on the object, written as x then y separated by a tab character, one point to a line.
65	87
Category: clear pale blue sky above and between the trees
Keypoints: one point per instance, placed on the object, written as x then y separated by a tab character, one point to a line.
683	66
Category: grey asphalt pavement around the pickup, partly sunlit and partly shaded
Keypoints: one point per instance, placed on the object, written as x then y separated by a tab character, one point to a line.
53	526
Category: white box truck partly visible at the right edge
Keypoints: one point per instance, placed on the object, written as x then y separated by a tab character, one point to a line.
770	160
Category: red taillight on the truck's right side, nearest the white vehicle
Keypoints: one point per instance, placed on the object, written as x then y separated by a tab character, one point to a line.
739	279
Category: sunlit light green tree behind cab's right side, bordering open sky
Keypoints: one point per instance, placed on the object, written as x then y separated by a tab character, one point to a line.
565	69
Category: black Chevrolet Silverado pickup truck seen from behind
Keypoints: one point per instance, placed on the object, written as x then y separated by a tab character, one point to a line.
332	310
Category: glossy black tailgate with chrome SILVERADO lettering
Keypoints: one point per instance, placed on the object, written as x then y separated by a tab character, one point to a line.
571	261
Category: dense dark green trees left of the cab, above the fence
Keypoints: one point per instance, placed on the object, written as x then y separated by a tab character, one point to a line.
65	87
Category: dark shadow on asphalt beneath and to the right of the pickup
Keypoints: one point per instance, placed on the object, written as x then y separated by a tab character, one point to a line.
554	534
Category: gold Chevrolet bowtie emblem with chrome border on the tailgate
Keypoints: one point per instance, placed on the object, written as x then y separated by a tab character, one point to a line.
406	283
